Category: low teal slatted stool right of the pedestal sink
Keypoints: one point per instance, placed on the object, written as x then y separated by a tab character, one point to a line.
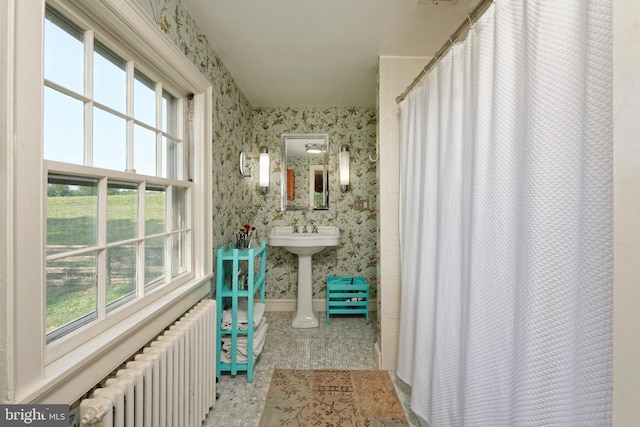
347	295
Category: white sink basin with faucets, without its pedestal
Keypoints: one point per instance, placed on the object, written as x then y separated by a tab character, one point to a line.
304	243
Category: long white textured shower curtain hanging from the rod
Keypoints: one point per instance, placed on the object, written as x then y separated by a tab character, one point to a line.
506	222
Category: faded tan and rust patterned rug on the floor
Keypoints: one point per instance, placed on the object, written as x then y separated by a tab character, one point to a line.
332	398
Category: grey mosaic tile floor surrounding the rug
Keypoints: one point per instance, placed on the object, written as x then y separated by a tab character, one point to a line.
348	343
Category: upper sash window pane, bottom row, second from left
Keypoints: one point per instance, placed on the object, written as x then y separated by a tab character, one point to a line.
109	141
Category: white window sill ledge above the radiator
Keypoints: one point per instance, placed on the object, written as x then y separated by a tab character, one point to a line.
68	378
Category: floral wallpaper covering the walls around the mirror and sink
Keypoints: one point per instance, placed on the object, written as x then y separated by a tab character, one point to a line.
238	127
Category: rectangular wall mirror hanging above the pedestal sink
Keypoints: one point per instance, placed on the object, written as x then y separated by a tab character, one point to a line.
305	172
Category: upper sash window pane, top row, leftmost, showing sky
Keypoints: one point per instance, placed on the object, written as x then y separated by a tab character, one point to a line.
63	52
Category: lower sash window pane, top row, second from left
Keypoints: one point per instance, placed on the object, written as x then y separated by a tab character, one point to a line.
122	211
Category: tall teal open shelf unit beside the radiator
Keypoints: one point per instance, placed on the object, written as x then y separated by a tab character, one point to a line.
229	292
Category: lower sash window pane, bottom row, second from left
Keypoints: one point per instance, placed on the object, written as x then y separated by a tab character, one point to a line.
121	274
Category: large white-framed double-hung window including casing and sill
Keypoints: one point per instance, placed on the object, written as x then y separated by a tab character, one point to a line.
109	198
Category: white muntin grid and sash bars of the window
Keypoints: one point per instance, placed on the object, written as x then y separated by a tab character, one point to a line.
92	39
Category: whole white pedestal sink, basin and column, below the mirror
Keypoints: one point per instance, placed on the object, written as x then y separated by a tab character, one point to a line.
305	245
